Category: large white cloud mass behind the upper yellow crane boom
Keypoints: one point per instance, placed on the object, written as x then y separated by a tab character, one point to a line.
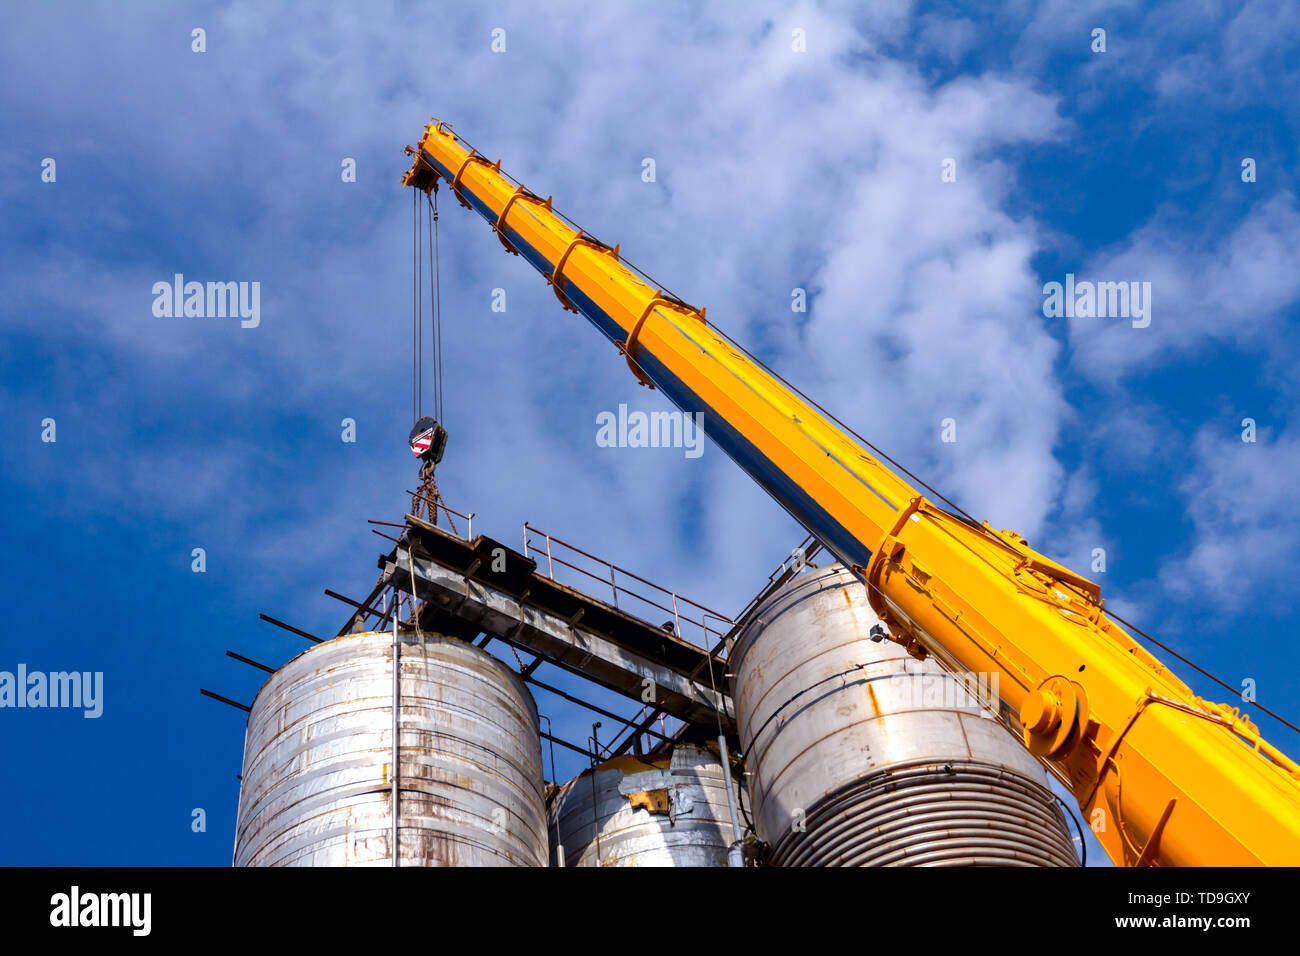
775	168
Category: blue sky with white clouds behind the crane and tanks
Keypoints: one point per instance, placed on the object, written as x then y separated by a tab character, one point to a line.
777	170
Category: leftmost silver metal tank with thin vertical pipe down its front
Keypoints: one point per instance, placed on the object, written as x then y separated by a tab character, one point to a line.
319	751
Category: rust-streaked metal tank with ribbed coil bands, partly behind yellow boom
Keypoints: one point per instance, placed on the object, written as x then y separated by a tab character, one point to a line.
857	755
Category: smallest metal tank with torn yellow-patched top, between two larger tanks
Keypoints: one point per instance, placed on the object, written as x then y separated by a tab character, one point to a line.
652	811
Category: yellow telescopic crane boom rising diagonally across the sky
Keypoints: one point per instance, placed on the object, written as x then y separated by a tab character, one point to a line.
1162	776
